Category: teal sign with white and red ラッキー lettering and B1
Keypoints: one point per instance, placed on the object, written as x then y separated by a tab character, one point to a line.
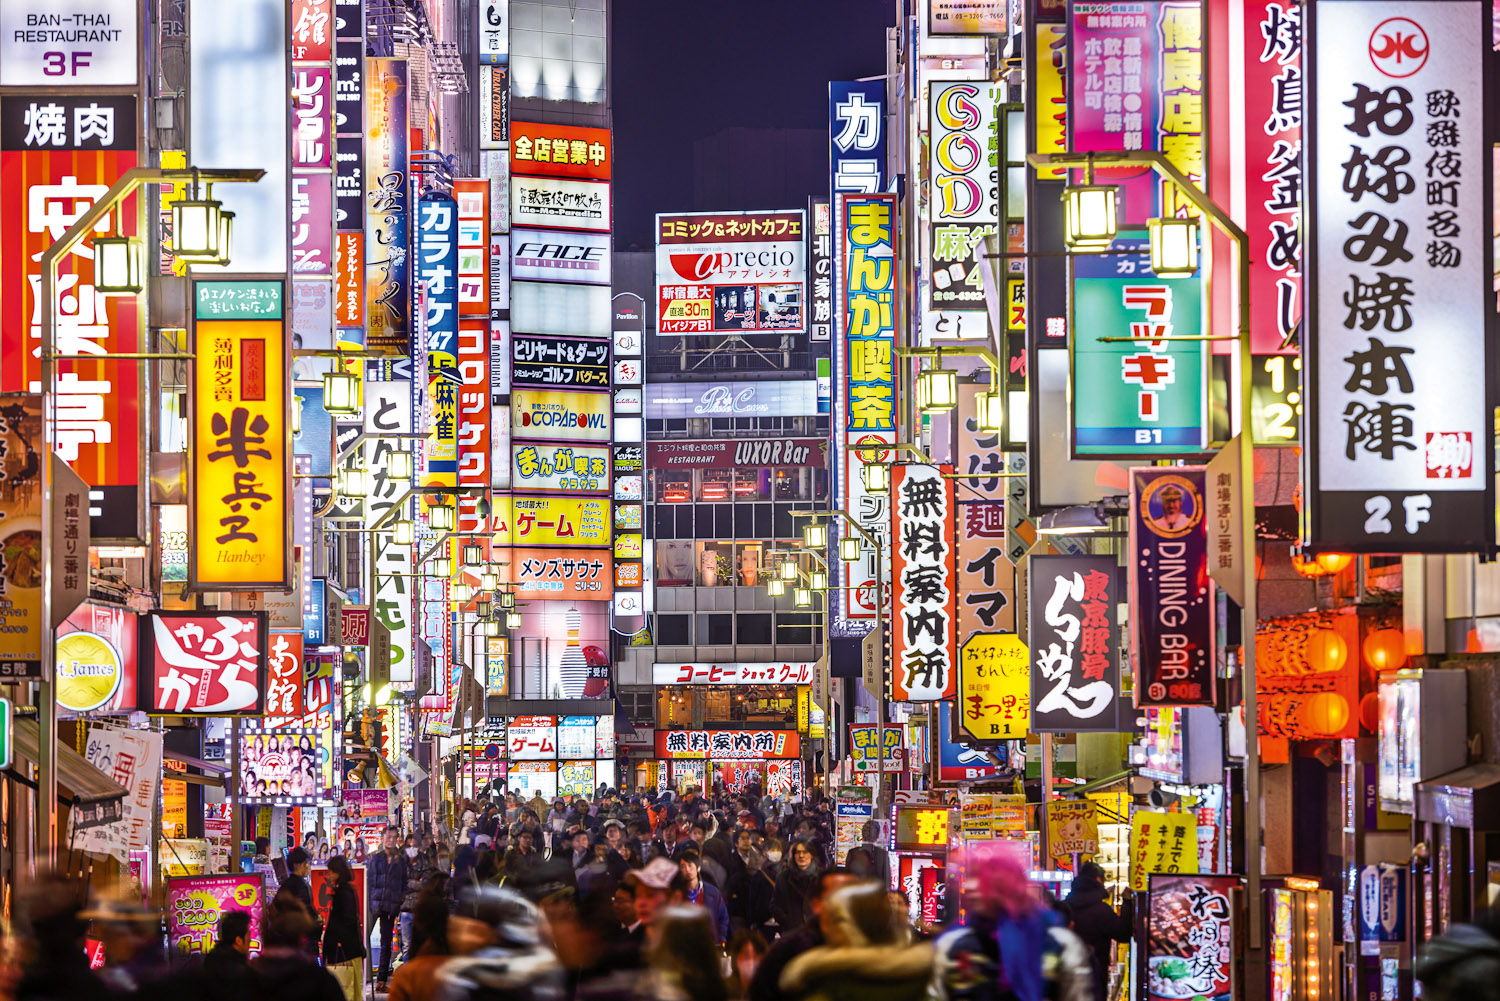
1142	397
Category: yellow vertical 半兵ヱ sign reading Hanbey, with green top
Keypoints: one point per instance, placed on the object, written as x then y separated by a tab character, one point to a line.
241	476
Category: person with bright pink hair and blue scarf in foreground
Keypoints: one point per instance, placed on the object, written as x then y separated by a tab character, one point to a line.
1012	946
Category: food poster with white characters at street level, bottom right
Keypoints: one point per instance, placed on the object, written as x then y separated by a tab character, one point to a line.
1190	937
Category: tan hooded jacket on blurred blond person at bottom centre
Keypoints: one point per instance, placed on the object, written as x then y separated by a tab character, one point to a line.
848	967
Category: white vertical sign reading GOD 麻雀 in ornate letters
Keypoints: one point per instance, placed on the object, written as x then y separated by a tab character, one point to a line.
965	188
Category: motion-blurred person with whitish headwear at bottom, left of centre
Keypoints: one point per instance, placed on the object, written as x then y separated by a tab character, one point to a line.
499	951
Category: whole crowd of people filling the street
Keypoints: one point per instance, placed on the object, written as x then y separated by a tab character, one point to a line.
617	900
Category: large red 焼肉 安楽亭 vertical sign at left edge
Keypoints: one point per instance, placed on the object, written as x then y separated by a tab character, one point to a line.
58	157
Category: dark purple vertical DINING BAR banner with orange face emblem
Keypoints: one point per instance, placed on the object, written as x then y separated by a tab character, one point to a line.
1171	591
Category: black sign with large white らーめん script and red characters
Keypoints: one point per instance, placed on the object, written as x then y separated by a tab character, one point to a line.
1075	675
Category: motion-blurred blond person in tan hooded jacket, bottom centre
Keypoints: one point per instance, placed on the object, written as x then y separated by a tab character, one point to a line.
863	957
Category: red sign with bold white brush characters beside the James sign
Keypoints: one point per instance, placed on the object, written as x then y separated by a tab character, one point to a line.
202	664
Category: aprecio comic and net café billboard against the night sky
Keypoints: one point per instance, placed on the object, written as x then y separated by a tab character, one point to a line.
733	272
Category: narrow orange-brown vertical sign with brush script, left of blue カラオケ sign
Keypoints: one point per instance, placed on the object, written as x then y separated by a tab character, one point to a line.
388	269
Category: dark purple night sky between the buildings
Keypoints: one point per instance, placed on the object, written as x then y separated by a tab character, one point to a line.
686	70
